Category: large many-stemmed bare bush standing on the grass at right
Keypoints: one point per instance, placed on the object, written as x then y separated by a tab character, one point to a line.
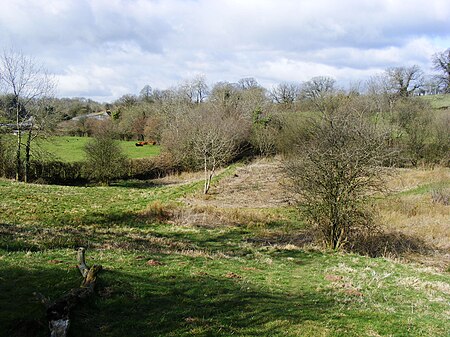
334	167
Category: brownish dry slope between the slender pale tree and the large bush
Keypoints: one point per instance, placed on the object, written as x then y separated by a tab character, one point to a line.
257	185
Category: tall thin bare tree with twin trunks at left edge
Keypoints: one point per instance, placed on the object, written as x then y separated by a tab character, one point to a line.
30	85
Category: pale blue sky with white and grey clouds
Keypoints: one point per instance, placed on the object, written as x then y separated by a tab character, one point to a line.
103	49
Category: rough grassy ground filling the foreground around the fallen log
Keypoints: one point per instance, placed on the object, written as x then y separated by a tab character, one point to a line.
178	263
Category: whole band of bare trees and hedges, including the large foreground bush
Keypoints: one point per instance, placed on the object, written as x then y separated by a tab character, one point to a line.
336	143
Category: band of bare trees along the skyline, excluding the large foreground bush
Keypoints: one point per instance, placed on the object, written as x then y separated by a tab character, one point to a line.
263	120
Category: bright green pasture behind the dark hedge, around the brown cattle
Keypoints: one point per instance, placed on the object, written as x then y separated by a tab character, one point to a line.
70	149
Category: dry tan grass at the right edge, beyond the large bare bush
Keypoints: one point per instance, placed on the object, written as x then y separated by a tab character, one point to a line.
417	209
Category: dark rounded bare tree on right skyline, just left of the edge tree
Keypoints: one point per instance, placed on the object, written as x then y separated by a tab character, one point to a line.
405	81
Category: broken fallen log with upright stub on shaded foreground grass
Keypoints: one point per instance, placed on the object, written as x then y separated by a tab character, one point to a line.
58	311
